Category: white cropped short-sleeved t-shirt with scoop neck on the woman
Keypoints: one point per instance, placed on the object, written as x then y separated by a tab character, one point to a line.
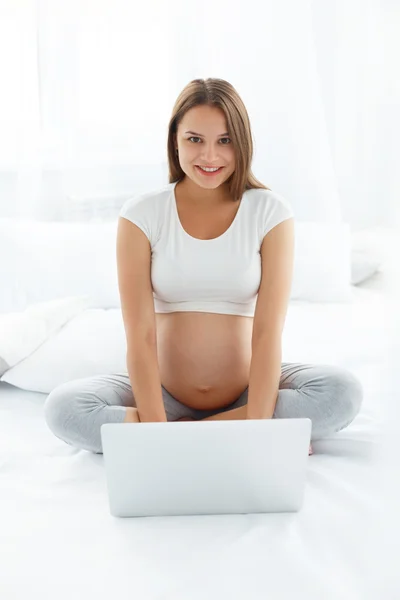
221	275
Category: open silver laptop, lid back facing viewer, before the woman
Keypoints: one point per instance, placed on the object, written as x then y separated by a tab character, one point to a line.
206	467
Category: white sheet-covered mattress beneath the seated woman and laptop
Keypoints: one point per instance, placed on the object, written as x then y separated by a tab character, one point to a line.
58	539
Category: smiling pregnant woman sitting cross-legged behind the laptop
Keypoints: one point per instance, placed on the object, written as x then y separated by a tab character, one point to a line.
205	271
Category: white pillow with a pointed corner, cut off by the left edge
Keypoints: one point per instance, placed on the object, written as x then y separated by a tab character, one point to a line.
21	333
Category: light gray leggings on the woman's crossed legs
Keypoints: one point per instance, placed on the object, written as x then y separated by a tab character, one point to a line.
330	396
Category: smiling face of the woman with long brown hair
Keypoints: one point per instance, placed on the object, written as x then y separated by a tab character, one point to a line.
199	142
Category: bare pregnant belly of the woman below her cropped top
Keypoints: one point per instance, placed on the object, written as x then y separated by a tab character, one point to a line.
204	358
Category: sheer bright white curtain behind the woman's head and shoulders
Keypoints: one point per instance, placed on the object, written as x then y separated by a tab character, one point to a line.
88	87
